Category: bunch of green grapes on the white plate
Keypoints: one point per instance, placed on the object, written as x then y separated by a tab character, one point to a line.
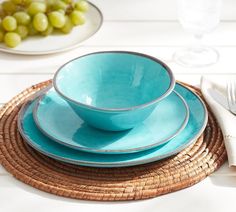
22	18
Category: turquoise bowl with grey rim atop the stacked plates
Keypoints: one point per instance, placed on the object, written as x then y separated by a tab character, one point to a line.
114	90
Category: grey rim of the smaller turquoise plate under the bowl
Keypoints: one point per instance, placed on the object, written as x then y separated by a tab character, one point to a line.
101	151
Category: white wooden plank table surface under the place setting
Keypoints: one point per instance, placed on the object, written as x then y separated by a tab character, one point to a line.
154	33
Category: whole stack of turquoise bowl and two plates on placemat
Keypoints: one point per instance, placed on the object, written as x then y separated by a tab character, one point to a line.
112	109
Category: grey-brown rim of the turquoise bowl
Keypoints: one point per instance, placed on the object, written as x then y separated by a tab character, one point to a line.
168	91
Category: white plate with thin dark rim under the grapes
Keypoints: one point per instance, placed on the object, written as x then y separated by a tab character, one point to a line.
37	45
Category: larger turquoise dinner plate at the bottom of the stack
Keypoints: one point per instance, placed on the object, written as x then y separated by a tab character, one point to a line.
35	138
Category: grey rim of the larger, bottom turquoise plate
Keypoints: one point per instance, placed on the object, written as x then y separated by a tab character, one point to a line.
106	164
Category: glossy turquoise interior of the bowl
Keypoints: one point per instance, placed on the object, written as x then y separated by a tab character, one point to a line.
113	80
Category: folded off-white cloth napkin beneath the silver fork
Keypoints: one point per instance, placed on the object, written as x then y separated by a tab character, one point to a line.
214	91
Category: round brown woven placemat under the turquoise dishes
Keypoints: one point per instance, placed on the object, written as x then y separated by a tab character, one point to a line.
139	182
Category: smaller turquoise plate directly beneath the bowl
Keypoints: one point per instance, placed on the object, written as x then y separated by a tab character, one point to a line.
57	120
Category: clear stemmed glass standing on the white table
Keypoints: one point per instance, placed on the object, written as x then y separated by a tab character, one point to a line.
198	17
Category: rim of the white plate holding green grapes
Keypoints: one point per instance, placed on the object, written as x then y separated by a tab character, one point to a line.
48	52
